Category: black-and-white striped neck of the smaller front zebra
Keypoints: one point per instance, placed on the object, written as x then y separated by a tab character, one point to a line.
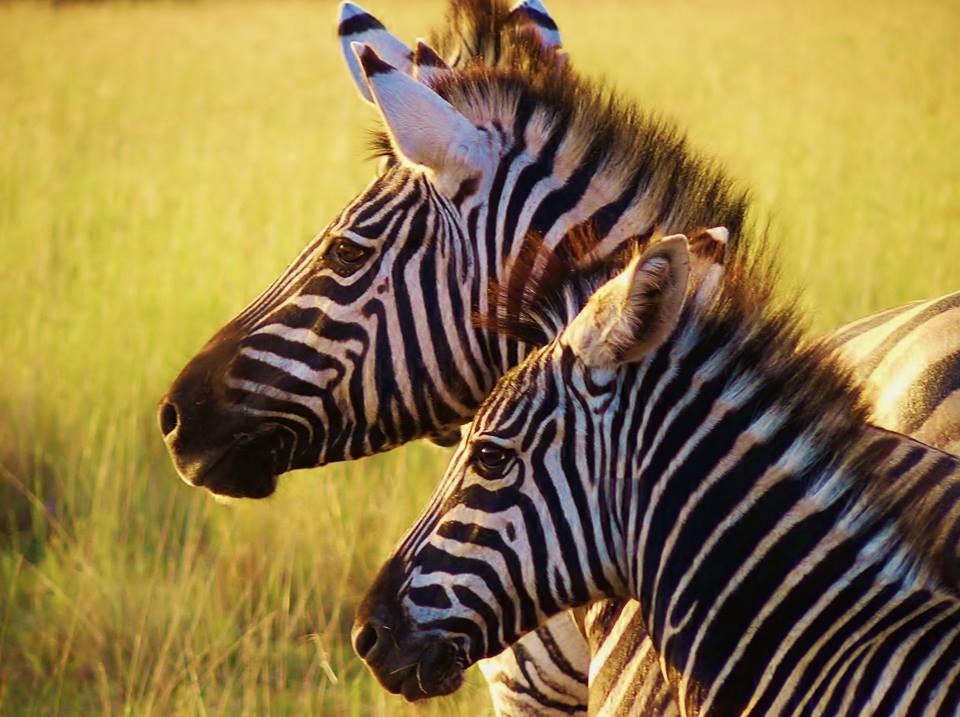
748	510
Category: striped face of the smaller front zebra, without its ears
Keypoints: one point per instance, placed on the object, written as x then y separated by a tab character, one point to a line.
481	566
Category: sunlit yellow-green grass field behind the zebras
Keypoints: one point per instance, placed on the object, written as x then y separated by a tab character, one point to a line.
160	163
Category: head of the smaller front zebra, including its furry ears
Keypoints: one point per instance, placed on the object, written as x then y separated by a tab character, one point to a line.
522	527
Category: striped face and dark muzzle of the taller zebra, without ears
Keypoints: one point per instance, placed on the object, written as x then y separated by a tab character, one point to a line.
347	354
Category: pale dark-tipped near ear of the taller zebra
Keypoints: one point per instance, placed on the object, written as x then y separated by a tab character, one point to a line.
424	127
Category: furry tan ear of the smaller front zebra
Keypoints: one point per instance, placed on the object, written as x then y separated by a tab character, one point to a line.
633	313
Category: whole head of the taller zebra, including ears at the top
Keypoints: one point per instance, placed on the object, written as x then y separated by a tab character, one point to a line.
364	342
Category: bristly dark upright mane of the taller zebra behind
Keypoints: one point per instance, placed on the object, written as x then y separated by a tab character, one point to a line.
511	80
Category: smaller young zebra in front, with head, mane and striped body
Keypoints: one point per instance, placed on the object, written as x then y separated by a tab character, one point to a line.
679	445
